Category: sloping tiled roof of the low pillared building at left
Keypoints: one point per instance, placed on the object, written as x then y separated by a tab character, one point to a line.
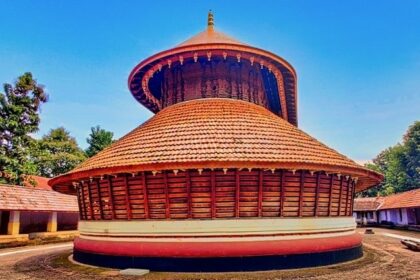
33	199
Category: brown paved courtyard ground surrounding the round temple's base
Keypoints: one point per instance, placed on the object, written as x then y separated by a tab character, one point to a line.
385	258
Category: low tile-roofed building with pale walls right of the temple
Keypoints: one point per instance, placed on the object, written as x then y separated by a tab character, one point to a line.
402	210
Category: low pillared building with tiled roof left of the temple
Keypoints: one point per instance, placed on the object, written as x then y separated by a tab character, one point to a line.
35	207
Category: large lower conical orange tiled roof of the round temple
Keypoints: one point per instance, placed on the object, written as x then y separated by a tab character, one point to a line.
217	133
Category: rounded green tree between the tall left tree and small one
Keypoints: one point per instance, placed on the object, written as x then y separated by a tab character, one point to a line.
57	153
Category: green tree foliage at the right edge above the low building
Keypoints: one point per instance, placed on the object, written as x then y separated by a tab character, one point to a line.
400	165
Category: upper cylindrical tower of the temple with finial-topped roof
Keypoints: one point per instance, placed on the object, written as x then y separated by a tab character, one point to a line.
214	65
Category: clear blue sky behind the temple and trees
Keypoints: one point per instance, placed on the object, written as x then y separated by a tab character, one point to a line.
358	62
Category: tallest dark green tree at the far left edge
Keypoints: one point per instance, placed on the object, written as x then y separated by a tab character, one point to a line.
19	117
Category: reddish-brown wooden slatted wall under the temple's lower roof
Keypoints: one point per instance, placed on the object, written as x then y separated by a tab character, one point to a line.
216	194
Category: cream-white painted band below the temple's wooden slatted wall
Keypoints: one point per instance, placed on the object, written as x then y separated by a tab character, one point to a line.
225	227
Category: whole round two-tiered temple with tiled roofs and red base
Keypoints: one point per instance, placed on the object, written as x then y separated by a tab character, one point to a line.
220	178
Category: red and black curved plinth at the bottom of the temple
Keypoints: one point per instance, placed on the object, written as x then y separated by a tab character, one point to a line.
226	255
